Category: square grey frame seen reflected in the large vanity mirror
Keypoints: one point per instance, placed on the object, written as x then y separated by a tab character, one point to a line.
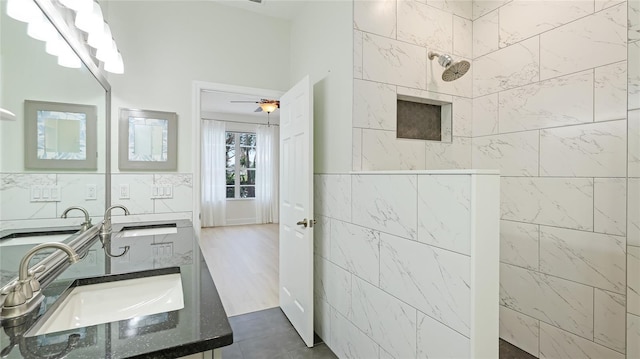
60	135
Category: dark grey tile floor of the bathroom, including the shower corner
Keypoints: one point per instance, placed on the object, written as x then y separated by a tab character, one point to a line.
267	334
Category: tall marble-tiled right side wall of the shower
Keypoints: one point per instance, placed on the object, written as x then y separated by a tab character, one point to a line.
550	111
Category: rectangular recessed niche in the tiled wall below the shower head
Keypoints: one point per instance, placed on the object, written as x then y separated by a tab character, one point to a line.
423	119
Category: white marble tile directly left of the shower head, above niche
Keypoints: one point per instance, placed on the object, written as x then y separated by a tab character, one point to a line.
393	62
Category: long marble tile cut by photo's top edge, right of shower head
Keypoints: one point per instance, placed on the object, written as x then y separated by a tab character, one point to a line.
521	19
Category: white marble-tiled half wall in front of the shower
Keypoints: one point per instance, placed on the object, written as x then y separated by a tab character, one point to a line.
393	275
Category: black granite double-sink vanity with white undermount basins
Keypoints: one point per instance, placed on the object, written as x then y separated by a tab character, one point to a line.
195	330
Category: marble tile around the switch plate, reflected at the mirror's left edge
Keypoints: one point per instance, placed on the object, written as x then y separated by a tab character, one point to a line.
15	196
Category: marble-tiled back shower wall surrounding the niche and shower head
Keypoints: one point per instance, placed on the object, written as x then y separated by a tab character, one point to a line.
391	41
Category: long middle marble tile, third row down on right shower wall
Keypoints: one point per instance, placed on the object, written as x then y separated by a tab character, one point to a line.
561	101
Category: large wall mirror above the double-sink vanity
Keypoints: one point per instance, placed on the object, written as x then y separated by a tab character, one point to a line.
32	198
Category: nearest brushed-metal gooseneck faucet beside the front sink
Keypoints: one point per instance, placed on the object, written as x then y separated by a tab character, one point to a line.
24	294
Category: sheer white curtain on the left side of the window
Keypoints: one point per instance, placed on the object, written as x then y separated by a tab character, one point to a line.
213	170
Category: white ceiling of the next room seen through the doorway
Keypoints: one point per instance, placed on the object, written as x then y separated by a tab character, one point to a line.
218	104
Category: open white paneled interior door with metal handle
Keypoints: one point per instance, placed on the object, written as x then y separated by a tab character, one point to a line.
296	208
